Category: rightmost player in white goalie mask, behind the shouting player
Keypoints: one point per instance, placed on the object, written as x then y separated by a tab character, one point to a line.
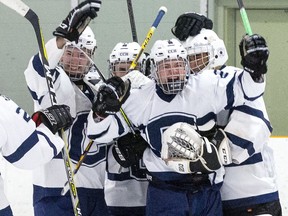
250	181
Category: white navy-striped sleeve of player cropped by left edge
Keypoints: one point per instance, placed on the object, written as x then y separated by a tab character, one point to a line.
24	145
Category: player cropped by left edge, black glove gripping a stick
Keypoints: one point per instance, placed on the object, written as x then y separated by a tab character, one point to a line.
23	144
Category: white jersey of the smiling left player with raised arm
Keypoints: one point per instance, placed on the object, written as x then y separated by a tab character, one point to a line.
50	179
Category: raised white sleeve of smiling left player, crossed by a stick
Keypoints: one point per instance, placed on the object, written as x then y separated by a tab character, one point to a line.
37	84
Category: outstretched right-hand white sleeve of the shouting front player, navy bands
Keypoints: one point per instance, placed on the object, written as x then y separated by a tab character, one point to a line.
228	87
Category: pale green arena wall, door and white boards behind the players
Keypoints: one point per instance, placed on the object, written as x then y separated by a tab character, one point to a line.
268	18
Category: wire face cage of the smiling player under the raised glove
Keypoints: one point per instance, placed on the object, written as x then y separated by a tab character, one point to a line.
76	62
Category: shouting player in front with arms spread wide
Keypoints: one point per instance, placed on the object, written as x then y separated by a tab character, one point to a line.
179	104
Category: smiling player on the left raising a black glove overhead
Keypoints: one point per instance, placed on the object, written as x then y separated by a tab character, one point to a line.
69	56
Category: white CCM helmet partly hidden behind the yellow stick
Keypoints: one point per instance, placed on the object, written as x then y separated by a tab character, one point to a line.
122	56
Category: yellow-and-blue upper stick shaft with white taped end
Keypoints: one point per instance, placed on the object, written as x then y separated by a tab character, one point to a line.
161	13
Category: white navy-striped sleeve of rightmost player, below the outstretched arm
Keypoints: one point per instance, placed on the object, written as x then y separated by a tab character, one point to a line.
248	130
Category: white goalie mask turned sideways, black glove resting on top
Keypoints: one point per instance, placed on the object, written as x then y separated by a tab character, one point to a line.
205	51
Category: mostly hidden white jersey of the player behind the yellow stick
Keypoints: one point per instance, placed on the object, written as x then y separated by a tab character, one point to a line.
127	187
